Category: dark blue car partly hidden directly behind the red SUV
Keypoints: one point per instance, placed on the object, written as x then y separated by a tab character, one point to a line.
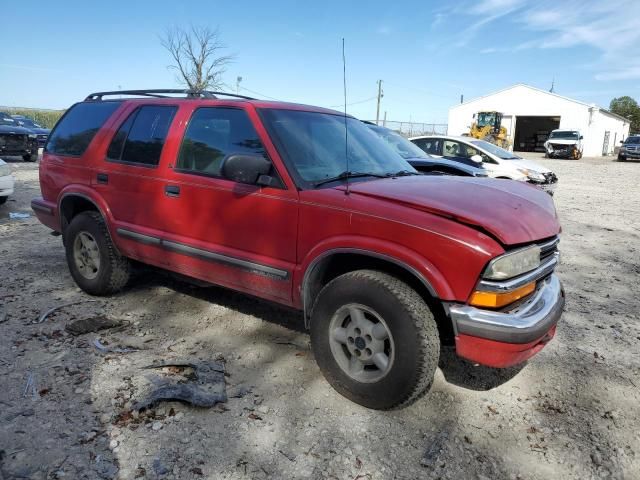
422	161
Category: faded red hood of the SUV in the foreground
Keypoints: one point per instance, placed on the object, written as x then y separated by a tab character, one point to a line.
510	211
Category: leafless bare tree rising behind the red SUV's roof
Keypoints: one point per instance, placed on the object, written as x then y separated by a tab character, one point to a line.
197	56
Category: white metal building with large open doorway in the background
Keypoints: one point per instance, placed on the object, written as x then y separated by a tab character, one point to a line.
531	113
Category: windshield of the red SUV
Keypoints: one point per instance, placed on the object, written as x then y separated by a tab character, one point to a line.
314	145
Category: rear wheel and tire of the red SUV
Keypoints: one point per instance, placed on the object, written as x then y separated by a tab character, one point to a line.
93	260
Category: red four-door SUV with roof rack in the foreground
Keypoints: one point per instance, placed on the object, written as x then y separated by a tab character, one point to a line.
308	208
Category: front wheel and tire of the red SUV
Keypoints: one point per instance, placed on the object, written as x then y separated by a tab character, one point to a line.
412	345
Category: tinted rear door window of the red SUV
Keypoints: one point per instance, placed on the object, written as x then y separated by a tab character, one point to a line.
140	139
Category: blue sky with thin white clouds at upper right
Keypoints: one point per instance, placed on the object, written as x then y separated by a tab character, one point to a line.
426	53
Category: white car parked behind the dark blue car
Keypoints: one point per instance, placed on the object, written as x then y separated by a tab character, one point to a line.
498	162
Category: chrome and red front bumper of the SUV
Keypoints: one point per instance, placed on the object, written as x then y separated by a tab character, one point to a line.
505	338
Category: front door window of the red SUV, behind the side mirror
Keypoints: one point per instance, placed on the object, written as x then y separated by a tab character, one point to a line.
214	133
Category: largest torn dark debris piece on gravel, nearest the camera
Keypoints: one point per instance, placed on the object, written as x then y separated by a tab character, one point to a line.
204	388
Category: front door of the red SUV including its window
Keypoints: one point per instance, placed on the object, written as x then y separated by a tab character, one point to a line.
236	235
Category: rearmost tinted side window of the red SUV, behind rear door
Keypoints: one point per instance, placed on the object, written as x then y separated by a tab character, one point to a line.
74	132
